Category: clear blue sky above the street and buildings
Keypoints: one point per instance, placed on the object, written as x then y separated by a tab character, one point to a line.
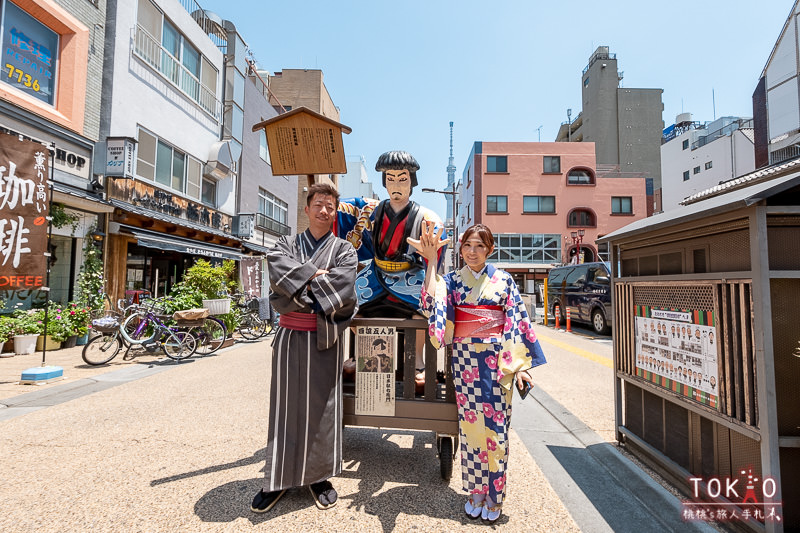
401	71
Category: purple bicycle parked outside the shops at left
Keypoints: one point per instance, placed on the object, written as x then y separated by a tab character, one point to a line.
145	329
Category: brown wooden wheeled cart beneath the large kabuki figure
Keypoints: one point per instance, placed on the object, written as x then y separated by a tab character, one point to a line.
435	410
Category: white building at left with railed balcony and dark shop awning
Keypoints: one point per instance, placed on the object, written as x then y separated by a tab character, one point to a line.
164	75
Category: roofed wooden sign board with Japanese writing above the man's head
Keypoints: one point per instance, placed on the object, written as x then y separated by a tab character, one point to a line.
304	142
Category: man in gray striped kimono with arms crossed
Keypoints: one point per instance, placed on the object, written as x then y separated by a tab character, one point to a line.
312	277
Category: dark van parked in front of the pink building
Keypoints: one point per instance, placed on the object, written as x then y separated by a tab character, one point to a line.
584	288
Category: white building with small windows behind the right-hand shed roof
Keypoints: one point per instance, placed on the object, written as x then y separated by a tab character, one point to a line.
697	156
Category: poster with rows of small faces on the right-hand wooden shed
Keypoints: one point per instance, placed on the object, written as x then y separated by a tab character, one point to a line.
677	350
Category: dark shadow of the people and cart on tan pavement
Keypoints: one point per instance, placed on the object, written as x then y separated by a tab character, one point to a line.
371	459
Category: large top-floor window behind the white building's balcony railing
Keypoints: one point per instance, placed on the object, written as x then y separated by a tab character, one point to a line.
159	43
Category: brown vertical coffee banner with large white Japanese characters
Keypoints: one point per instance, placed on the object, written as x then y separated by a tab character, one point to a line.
24	207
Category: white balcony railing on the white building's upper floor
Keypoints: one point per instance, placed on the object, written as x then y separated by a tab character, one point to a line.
149	50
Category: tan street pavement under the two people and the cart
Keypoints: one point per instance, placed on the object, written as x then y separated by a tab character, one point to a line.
154	445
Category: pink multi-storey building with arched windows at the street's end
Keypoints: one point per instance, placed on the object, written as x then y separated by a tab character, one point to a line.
534	195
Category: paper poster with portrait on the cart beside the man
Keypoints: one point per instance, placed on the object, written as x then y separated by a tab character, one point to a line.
375	365
